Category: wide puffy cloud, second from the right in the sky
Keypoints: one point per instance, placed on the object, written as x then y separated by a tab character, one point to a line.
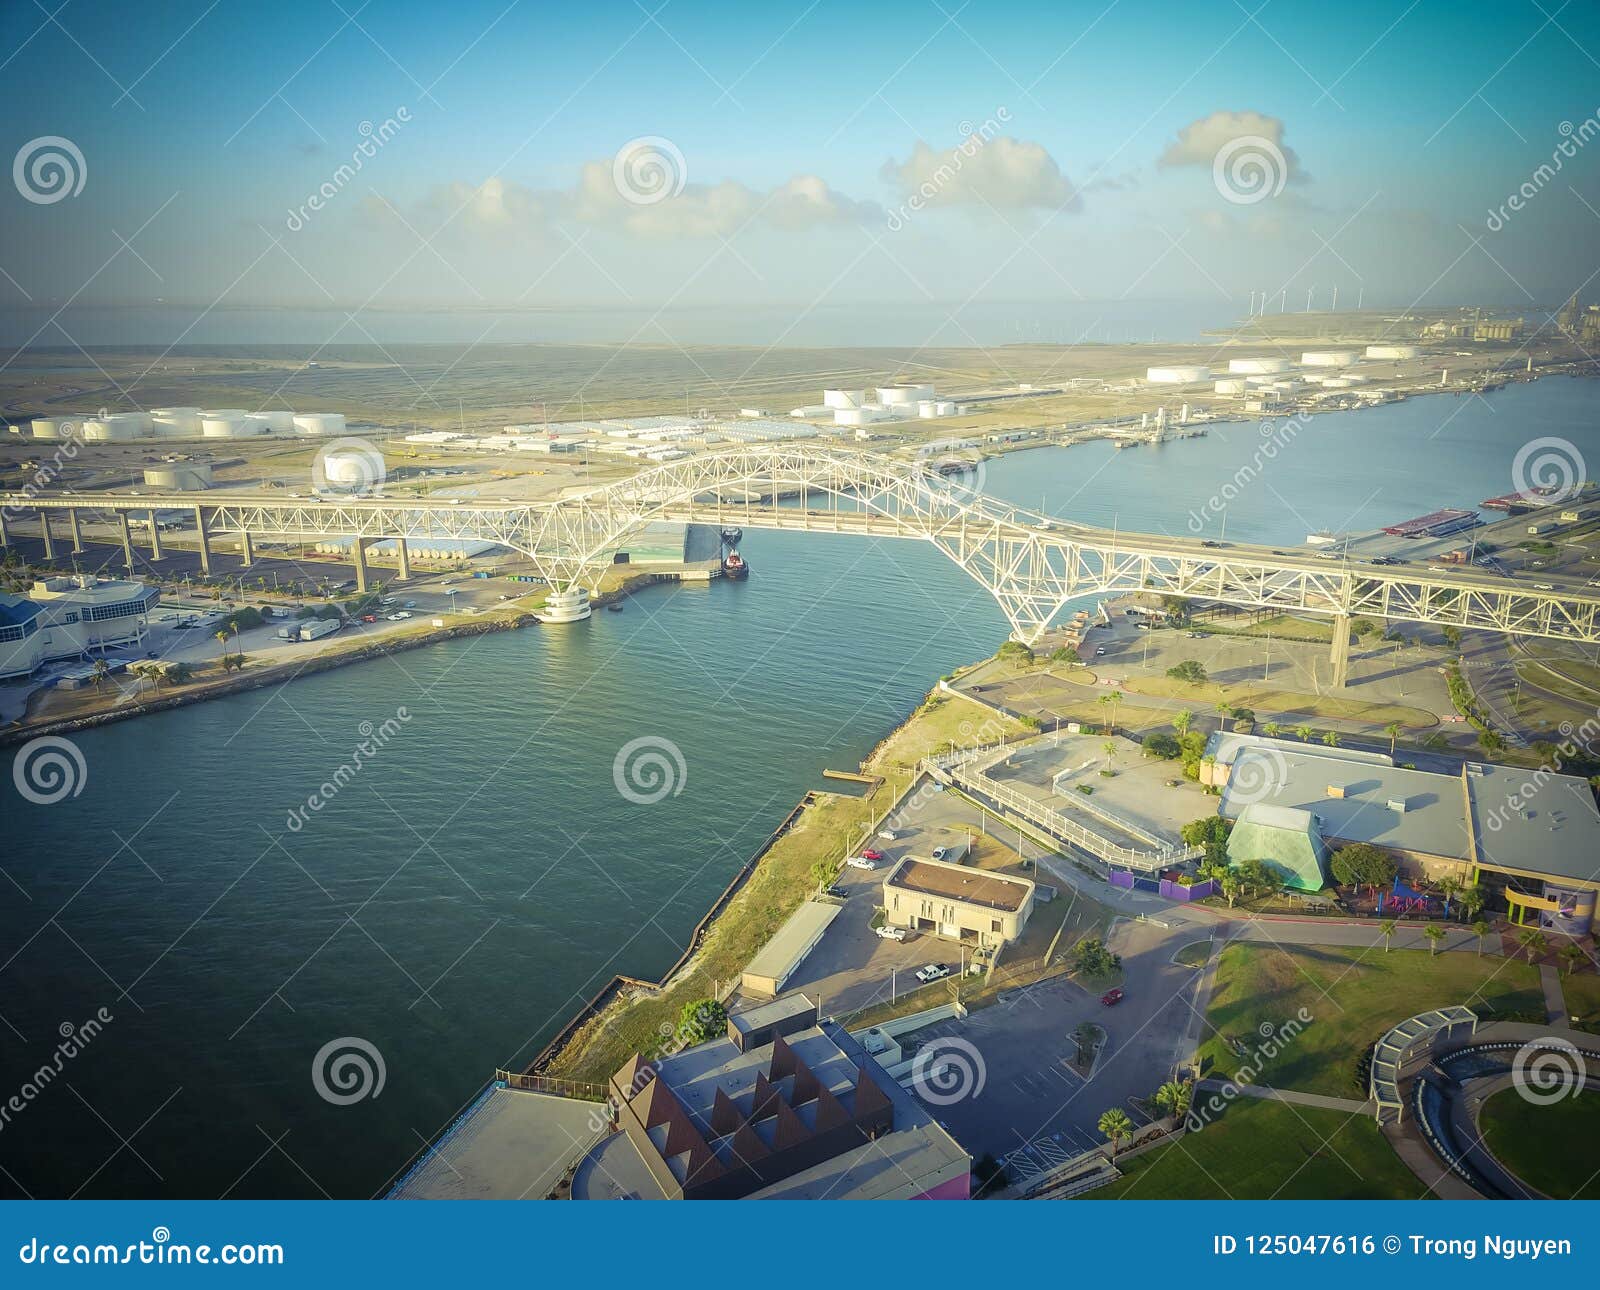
999	174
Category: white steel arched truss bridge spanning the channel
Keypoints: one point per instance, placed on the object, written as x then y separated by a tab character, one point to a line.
1031	564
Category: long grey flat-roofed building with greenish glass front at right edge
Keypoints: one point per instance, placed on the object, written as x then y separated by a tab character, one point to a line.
1526	836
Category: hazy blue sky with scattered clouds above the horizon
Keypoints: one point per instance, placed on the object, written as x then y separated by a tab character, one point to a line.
828	159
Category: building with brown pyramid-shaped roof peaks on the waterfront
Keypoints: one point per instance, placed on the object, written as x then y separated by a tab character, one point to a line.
783	1108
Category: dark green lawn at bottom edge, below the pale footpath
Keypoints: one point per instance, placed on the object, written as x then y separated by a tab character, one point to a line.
1265	1152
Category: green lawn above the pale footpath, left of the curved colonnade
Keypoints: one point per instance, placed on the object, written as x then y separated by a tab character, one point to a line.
1353	996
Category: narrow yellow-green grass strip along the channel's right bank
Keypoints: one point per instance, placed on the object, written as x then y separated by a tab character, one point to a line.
780	884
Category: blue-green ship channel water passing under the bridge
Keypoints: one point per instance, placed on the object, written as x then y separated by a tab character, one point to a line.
482	875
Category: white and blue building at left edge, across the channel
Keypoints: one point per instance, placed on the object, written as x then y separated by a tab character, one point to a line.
71	619
